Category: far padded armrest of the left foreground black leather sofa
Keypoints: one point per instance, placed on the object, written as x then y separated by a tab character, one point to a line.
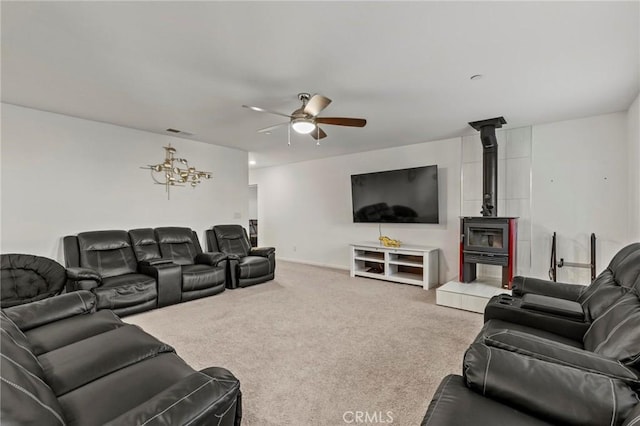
35	314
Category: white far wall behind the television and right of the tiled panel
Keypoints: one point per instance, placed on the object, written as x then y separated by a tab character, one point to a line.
580	173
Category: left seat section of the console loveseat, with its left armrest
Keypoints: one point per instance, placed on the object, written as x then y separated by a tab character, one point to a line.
104	262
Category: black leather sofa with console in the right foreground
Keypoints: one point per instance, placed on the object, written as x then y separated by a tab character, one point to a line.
556	364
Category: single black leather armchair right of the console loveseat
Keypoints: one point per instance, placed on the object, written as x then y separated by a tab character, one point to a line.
247	265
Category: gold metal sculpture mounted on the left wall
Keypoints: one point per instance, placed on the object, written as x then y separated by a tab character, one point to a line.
172	175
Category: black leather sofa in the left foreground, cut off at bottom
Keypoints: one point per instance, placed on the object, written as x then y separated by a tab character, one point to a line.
65	364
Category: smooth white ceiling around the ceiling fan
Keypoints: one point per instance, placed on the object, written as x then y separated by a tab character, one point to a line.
404	66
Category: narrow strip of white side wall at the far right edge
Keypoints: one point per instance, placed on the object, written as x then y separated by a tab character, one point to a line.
633	129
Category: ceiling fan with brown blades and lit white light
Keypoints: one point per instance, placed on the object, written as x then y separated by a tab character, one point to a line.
305	119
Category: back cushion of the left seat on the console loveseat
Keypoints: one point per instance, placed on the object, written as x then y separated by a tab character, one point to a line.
107	252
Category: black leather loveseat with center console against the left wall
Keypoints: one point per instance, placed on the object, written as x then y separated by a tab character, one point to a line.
143	269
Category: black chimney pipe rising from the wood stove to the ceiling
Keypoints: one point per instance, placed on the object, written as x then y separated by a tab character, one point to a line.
487	129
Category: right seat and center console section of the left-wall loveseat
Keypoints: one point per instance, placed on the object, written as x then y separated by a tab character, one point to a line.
200	274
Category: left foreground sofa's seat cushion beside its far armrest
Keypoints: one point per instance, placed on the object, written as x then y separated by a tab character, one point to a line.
70	330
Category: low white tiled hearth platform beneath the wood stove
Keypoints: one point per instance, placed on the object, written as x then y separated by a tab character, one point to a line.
469	296
